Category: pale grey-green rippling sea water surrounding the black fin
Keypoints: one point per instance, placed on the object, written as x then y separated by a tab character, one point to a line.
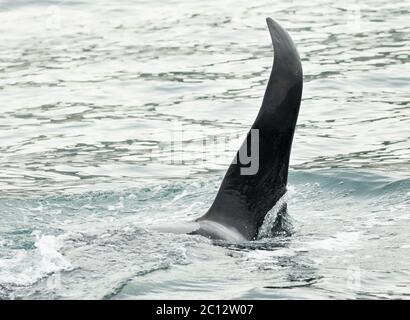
114	120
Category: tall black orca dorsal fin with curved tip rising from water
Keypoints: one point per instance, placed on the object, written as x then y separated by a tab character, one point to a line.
245	197
